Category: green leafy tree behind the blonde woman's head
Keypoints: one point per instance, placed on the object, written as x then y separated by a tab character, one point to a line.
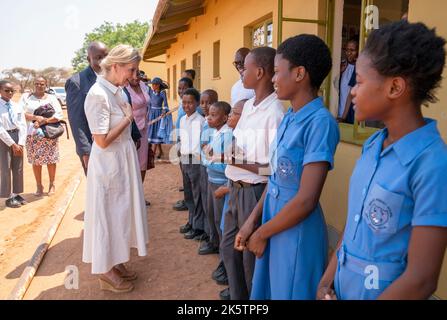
133	34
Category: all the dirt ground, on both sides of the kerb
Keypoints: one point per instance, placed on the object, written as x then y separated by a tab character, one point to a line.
172	270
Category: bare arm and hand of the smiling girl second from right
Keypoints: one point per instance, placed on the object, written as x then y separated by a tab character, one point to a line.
296	210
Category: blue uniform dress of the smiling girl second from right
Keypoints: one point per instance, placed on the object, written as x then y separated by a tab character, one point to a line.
295	259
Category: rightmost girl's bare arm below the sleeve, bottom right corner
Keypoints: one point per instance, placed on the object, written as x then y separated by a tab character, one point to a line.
425	255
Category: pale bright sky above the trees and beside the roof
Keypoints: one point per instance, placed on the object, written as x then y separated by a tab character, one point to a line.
43	33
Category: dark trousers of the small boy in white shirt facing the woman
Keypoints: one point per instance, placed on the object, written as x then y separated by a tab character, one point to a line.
193	199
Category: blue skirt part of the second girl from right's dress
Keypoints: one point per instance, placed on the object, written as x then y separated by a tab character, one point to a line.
294	260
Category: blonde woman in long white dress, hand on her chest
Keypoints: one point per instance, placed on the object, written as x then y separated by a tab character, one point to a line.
115	212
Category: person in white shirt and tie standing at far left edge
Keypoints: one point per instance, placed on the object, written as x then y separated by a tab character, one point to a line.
12	141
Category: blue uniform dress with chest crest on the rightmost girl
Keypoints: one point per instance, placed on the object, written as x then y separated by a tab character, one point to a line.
391	191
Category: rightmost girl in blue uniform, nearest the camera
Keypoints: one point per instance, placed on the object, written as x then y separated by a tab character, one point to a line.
395	235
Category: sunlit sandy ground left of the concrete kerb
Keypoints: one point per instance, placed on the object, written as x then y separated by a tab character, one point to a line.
21	230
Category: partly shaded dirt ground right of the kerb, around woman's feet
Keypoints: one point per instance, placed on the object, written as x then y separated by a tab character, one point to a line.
172	270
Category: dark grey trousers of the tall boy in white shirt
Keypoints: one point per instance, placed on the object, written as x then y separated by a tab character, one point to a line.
239	265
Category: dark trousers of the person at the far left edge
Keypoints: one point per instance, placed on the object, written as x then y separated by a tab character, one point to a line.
9	164
